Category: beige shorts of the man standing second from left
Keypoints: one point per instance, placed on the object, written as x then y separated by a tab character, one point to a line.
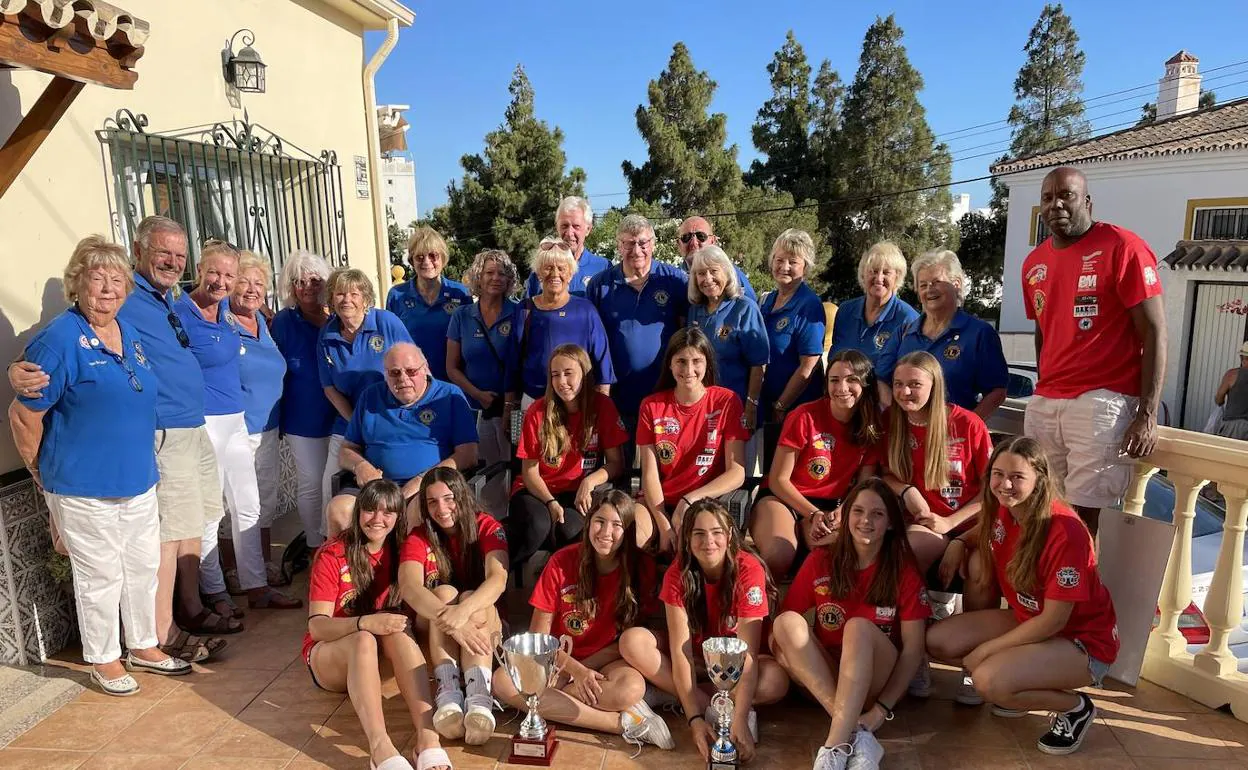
189	494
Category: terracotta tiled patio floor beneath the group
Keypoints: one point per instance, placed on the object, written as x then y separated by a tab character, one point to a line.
256	709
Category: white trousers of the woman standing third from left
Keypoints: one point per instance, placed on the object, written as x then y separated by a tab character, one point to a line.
238	472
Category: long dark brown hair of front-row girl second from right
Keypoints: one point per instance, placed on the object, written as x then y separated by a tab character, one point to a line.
842	561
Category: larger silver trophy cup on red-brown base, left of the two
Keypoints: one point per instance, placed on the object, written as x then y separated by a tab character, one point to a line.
530	661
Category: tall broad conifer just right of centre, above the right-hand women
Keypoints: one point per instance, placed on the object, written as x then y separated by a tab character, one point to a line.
895	173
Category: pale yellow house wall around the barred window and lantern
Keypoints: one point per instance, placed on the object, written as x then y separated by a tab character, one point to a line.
314	99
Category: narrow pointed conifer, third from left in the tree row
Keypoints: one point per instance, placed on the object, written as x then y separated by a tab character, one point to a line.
782	132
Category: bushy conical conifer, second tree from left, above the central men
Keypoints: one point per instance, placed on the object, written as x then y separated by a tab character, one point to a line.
690	170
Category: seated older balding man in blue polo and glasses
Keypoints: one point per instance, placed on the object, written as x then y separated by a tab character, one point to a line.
404	427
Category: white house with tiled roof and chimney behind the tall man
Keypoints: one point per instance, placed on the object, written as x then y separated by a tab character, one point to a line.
1182	185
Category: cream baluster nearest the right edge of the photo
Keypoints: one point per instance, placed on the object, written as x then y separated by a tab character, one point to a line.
1225	605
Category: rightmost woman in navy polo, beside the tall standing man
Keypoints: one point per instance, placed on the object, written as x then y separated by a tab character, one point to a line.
969	350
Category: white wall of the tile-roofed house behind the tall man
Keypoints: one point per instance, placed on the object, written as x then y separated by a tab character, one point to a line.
1148	197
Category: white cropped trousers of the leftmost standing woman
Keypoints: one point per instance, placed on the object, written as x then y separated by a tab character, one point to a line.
114	547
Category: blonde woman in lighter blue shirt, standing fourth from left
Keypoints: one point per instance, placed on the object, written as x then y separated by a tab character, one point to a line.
263	369
